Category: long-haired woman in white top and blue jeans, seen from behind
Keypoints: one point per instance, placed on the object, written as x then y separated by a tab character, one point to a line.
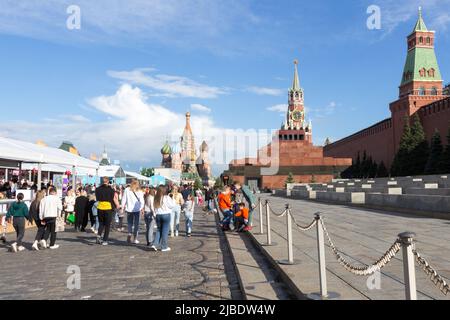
163	205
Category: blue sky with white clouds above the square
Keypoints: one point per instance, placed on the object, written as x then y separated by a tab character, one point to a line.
128	75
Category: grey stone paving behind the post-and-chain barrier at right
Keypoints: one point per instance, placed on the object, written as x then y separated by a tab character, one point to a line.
363	235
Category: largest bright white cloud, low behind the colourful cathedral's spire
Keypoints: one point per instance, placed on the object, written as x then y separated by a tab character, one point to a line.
133	130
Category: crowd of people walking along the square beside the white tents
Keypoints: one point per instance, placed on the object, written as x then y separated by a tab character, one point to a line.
107	206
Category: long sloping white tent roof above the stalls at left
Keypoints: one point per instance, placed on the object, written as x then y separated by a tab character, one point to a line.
27	152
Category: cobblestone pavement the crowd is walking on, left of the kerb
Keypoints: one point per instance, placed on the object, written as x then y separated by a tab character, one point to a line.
197	268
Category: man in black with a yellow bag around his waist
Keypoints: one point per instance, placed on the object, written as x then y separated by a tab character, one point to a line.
106	200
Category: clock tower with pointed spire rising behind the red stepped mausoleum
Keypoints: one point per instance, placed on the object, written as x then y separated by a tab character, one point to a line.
295	127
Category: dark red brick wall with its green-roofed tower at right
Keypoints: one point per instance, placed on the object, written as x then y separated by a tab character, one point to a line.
421	92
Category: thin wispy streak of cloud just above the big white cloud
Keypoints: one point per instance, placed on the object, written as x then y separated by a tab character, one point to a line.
168	85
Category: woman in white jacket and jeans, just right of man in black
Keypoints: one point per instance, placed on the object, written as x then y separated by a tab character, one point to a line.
133	205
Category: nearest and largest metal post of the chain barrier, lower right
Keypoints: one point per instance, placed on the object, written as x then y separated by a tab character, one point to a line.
407	241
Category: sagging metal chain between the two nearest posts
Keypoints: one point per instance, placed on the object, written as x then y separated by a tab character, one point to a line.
362	271
